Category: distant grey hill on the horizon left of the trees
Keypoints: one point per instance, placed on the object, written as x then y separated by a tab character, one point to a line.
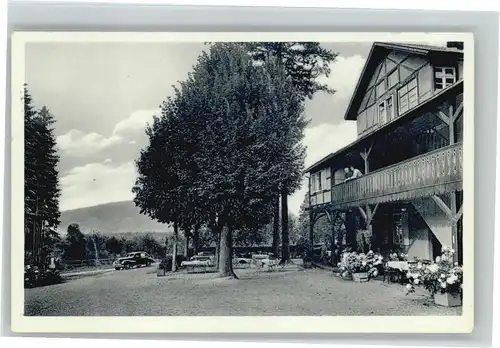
111	218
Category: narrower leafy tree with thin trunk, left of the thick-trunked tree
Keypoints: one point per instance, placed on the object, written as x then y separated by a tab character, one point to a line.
164	188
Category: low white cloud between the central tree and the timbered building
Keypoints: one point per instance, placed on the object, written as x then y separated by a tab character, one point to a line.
322	140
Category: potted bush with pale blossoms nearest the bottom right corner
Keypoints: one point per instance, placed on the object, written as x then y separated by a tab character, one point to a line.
442	275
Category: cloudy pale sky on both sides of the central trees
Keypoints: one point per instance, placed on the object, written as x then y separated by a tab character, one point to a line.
103	94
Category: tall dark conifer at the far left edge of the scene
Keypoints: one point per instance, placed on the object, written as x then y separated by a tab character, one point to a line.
41	182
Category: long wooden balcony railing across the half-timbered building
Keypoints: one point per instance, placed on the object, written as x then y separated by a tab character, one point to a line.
432	173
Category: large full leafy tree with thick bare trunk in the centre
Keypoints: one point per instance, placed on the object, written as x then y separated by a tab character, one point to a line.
250	108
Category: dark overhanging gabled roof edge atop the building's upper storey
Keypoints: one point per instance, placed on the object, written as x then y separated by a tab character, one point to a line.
378	51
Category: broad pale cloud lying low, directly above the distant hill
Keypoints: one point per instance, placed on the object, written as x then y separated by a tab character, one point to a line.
97	183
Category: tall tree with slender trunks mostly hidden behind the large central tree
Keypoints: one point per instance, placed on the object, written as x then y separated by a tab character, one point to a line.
305	63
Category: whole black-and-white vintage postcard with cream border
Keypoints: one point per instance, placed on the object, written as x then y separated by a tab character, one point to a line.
242	182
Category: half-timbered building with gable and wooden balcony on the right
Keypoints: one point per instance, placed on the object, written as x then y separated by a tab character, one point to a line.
408	106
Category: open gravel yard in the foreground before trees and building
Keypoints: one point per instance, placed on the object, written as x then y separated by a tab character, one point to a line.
139	292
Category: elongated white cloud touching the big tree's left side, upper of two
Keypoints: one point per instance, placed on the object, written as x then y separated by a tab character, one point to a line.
79	144
